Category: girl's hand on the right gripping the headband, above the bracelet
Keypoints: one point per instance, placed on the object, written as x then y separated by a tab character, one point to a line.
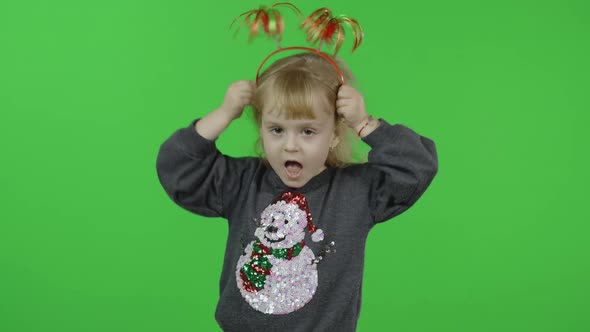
350	105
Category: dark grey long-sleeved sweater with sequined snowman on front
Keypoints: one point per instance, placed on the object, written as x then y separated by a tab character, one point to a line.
307	285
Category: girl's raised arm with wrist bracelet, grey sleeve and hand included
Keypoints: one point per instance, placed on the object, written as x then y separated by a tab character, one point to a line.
402	163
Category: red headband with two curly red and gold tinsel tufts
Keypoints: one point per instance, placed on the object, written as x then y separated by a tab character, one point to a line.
321	28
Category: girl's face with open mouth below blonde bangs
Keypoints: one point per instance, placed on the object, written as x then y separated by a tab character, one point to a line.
297	149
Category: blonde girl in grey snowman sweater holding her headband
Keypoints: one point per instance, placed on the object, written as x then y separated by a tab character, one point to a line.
299	266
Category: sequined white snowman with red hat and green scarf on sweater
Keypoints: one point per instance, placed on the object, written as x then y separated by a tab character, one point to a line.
277	273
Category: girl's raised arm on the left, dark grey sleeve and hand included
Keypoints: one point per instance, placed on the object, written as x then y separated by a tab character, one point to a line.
194	174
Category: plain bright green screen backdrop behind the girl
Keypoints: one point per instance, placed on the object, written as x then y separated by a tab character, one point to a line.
89	90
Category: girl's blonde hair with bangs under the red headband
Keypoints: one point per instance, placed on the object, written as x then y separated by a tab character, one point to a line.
291	83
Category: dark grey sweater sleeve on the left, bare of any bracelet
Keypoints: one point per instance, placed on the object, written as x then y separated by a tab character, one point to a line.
197	176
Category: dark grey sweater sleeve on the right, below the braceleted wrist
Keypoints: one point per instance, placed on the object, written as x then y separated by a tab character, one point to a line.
402	164
